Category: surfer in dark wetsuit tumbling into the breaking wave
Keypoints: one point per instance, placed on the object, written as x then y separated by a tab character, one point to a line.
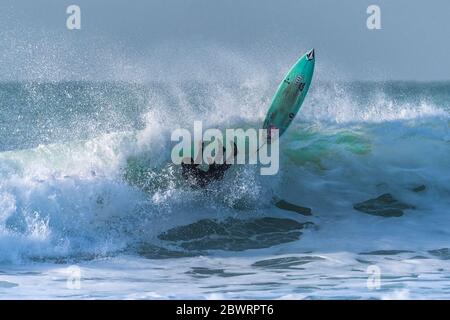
201	178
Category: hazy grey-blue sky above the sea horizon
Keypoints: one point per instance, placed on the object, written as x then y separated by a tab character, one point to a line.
223	39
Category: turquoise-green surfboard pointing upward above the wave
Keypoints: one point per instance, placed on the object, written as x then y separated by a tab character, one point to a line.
290	95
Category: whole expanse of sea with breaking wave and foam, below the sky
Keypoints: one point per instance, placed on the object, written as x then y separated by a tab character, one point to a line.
91	205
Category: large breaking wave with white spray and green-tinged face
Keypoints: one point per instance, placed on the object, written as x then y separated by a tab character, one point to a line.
110	191
